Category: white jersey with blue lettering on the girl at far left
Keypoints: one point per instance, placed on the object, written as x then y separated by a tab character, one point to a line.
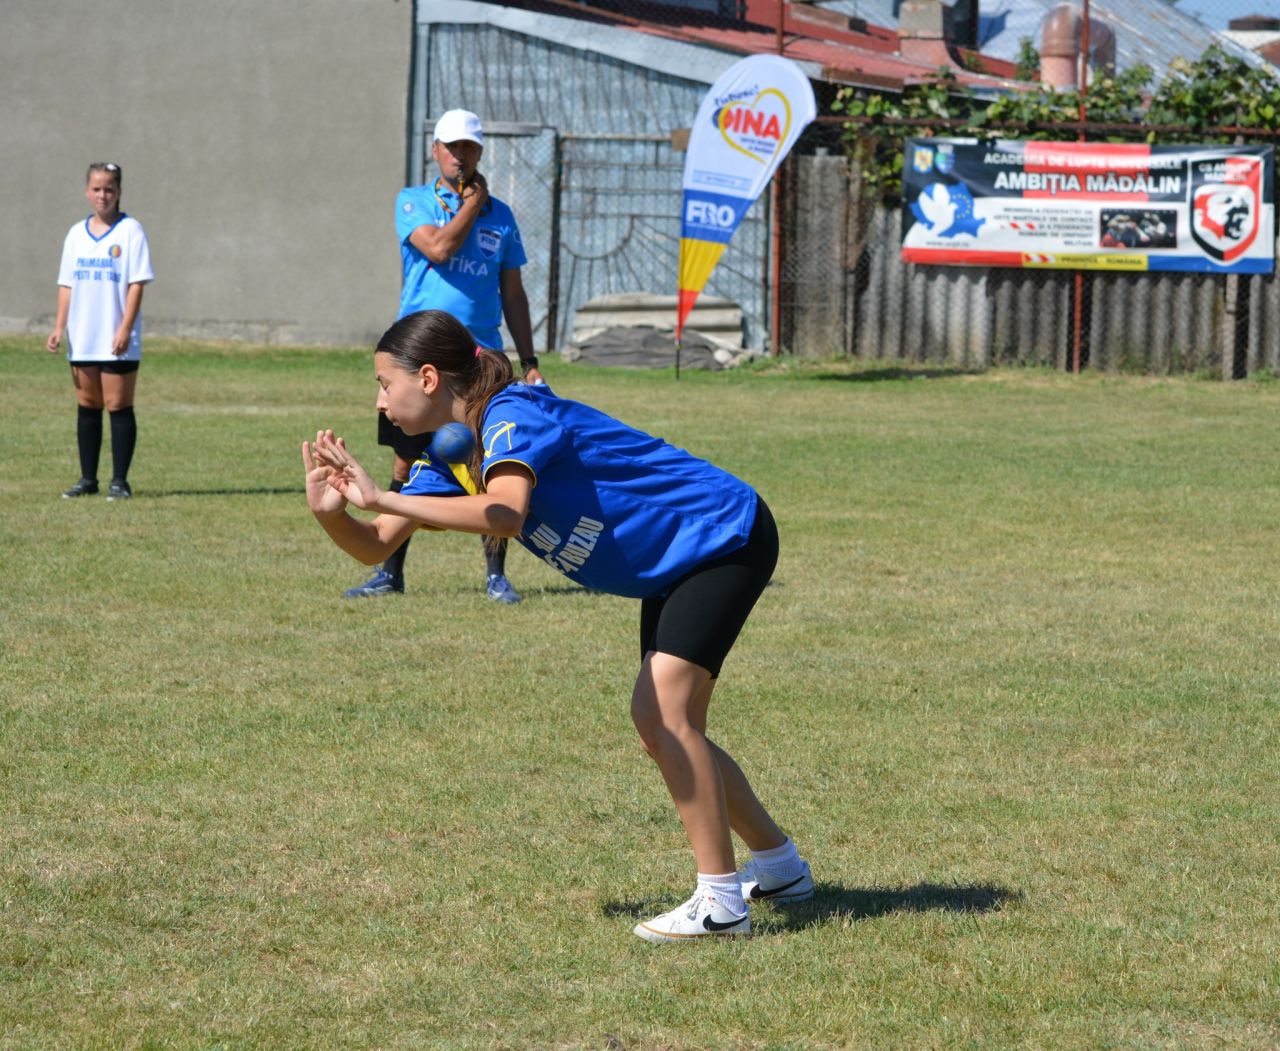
99	272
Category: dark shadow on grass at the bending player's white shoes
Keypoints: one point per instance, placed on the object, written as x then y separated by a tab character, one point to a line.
834	902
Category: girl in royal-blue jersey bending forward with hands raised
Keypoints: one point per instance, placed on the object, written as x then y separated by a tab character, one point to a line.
619	511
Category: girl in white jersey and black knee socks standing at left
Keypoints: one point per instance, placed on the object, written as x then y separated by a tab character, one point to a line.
106	264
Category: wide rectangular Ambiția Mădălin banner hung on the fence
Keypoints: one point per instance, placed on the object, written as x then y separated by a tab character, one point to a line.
1090	205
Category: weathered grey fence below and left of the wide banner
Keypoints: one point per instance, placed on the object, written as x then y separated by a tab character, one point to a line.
845	291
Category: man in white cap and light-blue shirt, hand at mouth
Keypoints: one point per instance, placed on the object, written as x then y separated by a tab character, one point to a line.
461	253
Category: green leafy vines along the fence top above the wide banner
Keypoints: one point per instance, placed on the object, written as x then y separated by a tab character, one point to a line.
1200	98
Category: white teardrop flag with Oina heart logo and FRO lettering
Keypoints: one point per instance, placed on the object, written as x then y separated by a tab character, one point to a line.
746	126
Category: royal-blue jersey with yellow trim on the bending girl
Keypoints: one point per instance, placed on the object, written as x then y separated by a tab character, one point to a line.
612	508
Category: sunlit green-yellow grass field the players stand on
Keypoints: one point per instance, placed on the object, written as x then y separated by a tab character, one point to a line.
1014	693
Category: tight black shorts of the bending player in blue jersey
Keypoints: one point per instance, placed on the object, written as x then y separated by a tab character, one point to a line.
702	614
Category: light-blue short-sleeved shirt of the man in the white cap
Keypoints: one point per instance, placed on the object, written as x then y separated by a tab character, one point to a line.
467	286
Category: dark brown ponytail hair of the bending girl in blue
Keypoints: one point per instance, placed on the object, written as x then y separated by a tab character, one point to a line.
433	337
